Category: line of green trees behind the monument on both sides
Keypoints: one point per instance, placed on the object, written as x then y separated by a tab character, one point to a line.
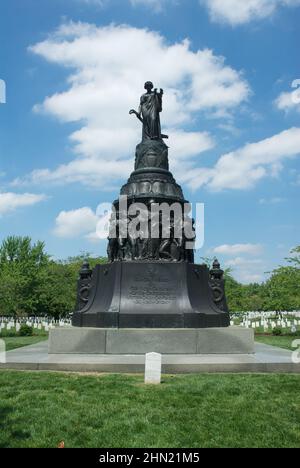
33	283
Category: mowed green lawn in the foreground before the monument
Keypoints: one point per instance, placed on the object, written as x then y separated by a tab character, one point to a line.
43	409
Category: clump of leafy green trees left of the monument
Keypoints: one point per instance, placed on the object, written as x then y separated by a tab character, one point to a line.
33	284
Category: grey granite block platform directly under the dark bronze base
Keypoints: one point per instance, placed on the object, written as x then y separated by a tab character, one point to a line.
232	340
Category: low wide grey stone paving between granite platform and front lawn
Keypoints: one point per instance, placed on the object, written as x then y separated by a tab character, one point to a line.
266	359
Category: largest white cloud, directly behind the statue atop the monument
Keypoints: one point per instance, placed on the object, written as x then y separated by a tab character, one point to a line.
108	67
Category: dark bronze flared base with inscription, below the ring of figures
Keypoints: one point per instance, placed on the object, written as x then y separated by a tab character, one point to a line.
151	295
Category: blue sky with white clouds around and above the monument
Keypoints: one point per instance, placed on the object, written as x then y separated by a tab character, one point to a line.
73	69
